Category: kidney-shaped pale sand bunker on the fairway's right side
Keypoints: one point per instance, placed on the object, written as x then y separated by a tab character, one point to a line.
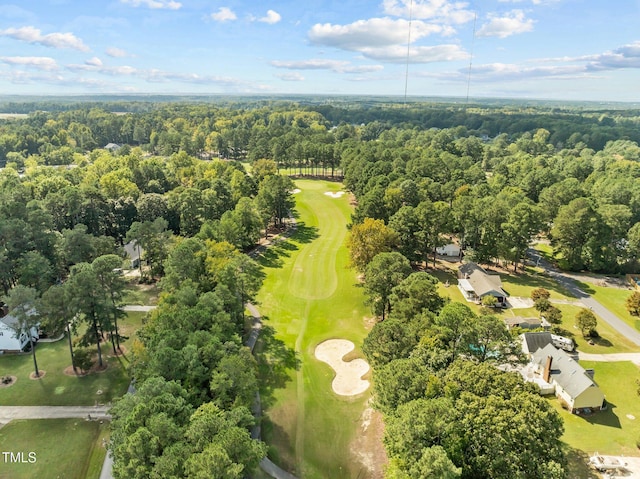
348	380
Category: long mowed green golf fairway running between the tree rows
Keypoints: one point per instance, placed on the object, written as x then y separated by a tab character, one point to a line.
310	295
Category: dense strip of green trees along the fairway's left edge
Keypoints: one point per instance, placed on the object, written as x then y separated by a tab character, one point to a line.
195	381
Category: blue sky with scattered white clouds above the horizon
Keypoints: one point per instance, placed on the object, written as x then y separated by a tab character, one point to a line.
546	49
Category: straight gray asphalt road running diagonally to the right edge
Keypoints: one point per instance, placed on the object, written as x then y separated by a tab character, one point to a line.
570	284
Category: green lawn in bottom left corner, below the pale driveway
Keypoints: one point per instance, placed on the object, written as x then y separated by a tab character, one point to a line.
63	448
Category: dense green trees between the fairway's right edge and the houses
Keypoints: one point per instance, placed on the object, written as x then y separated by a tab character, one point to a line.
449	411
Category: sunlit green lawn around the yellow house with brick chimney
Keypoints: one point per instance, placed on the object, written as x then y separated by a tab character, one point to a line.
612	431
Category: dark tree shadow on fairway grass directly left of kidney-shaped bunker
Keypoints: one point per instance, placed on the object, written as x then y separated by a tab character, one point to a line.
276	362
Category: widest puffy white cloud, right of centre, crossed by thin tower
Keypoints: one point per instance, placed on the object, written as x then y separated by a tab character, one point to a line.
375	32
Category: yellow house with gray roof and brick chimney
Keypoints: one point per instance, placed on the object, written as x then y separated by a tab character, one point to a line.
574	386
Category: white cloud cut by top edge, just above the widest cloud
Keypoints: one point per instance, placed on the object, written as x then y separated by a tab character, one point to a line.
438	10
